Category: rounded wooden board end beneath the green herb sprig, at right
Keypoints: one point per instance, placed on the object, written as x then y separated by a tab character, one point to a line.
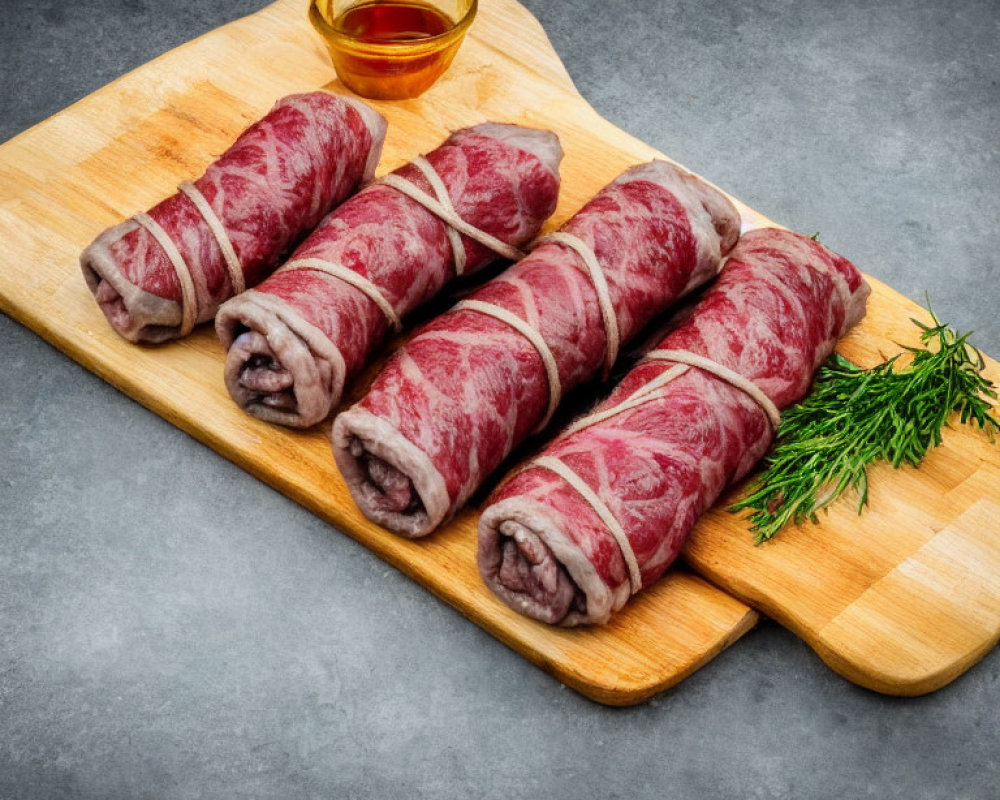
906	597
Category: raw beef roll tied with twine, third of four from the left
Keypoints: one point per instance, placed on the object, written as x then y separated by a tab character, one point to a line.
450	405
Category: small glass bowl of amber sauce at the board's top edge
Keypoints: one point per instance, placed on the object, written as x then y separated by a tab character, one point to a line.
391	49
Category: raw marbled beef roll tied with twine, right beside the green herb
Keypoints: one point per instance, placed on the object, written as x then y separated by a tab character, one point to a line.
606	507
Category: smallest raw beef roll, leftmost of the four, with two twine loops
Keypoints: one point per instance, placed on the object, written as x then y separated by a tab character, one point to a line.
158	274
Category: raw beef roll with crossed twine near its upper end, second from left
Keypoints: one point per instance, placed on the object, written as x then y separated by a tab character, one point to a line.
301	334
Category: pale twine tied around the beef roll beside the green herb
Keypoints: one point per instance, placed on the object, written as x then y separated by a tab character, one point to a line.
684	360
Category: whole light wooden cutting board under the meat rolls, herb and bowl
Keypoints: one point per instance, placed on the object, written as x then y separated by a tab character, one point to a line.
902	599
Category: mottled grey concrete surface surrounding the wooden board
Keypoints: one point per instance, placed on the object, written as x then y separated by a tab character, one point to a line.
171	628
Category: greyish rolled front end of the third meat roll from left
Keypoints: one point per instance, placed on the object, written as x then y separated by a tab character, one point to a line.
392	480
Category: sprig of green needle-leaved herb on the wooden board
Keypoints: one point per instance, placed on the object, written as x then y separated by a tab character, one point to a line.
854	417
